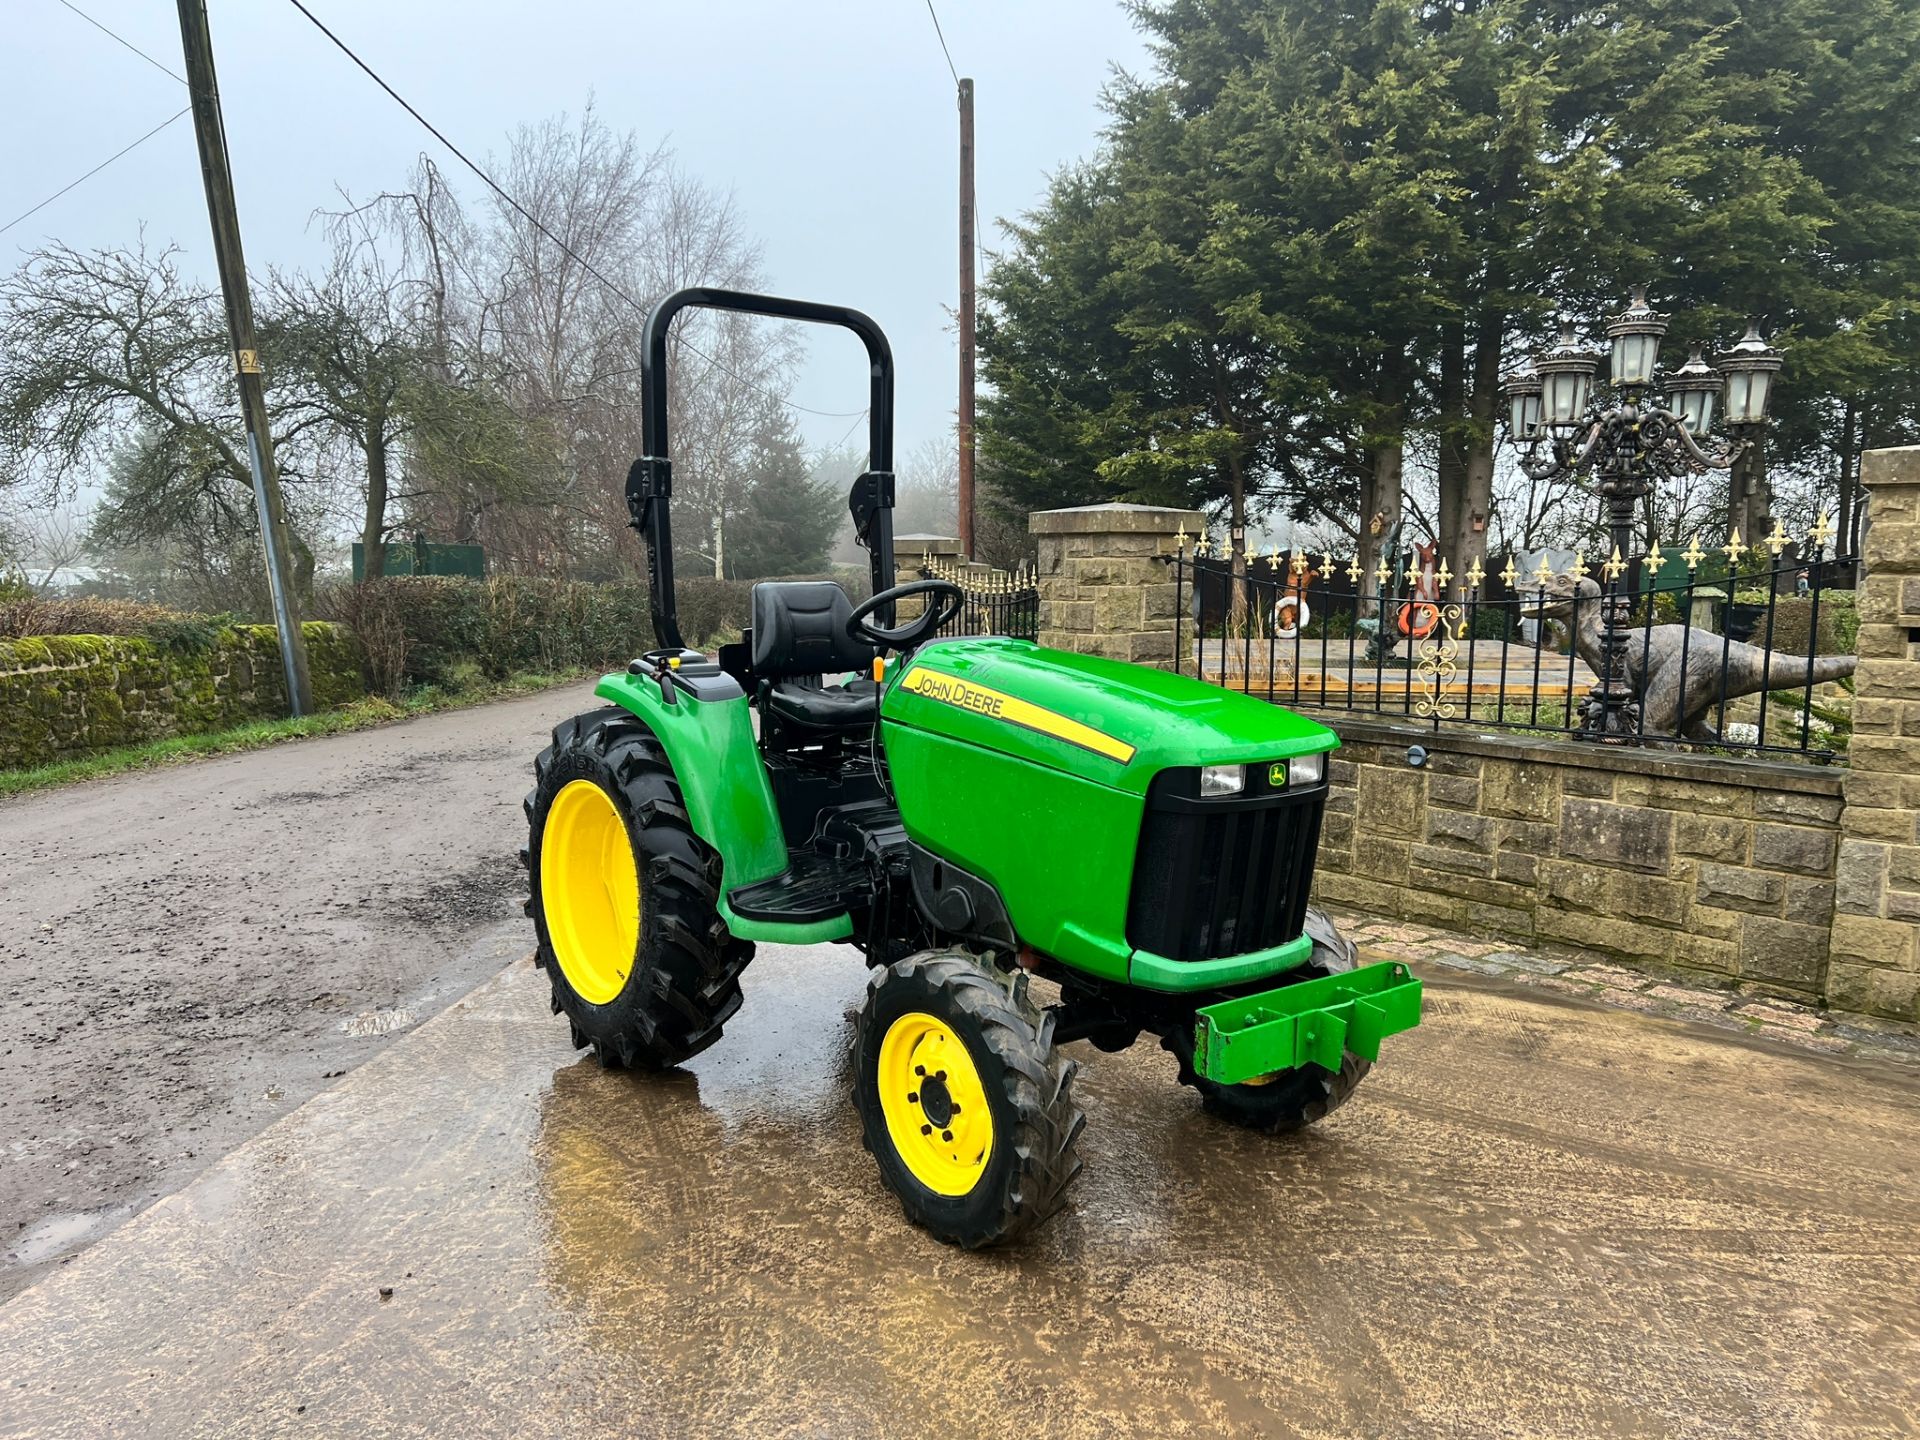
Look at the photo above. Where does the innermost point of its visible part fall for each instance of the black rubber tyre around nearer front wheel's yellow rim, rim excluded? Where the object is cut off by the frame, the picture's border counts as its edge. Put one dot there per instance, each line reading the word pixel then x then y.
pixel 1026 1084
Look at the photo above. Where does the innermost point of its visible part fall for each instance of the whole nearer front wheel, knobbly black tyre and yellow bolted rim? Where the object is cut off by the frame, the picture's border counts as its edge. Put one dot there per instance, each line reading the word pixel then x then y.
pixel 963 1099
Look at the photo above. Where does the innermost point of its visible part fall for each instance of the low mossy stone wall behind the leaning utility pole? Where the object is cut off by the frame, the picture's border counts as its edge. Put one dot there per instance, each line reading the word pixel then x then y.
pixel 70 696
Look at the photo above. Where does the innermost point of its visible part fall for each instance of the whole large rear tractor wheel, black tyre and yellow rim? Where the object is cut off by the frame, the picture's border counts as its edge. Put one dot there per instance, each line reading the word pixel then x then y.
pixel 625 898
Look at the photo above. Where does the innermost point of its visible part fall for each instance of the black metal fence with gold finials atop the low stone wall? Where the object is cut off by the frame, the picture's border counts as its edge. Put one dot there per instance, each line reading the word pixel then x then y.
pixel 1742 661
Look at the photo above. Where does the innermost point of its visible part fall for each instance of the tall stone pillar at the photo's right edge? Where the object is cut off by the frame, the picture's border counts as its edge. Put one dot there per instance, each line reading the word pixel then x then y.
pixel 1877 926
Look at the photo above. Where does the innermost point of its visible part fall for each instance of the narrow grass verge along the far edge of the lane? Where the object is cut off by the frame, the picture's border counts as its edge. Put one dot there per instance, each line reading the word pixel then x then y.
pixel 360 715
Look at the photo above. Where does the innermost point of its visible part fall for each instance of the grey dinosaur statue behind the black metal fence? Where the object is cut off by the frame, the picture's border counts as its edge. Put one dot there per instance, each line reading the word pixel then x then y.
pixel 1654 661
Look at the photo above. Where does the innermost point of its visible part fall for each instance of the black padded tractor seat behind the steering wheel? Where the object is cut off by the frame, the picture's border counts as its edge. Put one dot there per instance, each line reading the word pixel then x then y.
pixel 800 635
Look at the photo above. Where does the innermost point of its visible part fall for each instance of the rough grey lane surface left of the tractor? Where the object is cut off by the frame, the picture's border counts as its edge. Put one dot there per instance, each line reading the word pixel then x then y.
pixel 191 953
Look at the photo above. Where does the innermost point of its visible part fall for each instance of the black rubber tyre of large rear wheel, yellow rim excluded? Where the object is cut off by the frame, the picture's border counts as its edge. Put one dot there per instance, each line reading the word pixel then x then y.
pixel 684 978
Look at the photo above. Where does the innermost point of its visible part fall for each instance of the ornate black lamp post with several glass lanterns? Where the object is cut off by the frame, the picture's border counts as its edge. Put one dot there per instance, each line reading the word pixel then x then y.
pixel 1641 431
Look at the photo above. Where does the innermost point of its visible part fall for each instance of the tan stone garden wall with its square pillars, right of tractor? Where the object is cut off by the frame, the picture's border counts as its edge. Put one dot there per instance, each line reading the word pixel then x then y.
pixel 1779 878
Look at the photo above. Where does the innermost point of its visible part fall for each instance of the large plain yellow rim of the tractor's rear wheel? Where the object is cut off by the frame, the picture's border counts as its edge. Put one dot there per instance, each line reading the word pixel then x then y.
pixel 590 892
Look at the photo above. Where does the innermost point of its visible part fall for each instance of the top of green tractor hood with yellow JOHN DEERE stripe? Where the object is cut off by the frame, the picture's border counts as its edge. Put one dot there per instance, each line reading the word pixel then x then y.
pixel 1099 719
